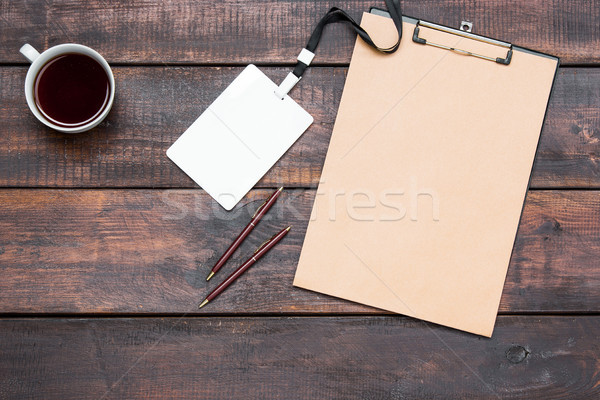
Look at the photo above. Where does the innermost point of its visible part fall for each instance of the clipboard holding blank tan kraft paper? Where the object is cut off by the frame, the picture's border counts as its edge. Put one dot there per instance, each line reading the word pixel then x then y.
pixel 426 174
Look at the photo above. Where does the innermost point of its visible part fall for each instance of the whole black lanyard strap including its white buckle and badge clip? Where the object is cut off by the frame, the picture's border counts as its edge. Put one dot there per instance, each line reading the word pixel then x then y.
pixel 337 15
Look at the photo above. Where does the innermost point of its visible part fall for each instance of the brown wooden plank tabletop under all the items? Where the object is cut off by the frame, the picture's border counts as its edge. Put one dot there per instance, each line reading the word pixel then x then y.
pixel 105 244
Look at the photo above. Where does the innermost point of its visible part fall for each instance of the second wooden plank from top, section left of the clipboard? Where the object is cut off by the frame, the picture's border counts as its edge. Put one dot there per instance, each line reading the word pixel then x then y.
pixel 153 106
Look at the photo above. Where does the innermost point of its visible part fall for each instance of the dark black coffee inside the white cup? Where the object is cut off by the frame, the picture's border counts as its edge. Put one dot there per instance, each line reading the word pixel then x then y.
pixel 72 90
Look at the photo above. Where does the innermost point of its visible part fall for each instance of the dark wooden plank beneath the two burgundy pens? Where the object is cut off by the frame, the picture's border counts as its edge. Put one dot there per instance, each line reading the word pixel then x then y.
pixel 149 251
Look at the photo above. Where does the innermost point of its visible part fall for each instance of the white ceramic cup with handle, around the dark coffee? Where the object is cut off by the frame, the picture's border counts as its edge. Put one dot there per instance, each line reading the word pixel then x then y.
pixel 39 60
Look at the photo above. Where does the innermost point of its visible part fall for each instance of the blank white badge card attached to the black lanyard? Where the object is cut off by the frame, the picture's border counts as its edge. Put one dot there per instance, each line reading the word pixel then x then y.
pixel 239 137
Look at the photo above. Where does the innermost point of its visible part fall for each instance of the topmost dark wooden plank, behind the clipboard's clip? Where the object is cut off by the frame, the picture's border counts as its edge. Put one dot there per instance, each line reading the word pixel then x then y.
pixel 238 31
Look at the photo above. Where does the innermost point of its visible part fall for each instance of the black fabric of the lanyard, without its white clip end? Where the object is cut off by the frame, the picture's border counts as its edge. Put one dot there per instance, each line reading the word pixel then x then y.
pixel 336 15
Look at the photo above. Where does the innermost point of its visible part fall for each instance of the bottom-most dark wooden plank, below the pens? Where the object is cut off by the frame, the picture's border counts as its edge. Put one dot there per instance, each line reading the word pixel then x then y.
pixel 304 358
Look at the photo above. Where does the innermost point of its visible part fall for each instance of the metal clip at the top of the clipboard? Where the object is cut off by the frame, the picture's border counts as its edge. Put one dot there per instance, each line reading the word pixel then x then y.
pixel 466 34
